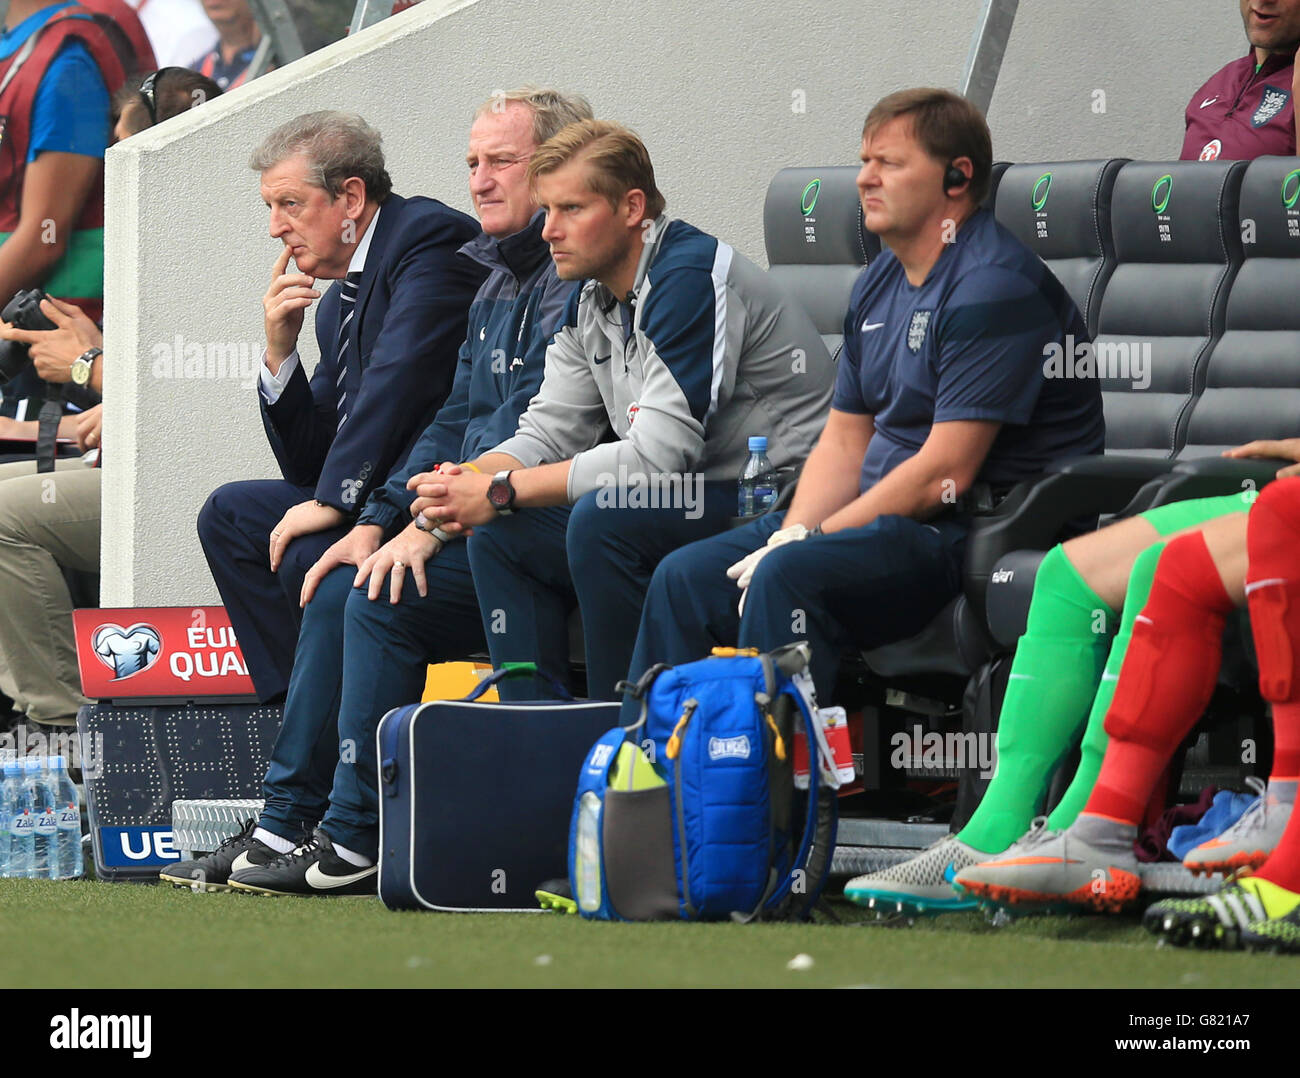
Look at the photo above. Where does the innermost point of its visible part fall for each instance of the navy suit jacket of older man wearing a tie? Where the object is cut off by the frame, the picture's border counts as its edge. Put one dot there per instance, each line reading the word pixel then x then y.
pixel 413 305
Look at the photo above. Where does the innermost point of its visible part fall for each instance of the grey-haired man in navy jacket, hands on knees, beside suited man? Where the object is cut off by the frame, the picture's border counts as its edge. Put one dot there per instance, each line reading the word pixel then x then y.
pixel 363 651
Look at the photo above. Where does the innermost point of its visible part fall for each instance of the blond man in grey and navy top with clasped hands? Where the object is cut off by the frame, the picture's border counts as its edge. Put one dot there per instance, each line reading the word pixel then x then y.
pixel 673 354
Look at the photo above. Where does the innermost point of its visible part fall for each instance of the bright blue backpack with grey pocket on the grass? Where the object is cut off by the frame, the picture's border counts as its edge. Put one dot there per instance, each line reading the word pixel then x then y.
pixel 692 813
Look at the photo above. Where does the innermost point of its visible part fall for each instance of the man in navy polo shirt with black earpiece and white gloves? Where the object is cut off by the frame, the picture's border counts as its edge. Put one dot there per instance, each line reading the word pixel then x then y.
pixel 942 395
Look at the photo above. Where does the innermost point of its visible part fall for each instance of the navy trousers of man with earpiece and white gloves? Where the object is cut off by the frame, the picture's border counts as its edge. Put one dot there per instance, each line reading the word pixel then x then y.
pixel 861 587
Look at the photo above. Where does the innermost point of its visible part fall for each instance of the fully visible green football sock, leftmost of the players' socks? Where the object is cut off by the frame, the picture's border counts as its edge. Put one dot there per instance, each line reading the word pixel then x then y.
pixel 1052 685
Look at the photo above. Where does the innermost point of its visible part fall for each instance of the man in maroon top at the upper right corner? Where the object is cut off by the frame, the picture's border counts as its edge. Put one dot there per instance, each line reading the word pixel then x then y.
pixel 1246 110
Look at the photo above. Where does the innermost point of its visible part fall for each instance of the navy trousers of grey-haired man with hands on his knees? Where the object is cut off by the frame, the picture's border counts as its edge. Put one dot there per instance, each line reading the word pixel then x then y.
pixel 357 660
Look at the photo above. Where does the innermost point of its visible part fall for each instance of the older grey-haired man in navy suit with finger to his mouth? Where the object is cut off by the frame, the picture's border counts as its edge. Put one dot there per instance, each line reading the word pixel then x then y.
pixel 389 332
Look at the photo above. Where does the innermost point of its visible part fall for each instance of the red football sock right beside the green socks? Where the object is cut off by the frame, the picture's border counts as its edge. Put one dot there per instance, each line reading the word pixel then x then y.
pixel 1167 681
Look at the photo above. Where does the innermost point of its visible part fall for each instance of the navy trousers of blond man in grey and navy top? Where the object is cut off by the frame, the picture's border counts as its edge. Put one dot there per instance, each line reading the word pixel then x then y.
pixel 530 575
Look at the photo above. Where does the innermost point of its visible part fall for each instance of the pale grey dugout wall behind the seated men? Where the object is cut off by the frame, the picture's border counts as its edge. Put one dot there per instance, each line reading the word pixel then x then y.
pixel 722 93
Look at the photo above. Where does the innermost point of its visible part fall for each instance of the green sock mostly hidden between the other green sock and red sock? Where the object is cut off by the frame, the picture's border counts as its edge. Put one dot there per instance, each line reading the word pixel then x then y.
pixel 1167 521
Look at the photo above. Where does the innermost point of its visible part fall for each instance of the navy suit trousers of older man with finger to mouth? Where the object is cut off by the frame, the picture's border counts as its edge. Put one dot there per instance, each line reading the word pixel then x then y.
pixel 235 529
